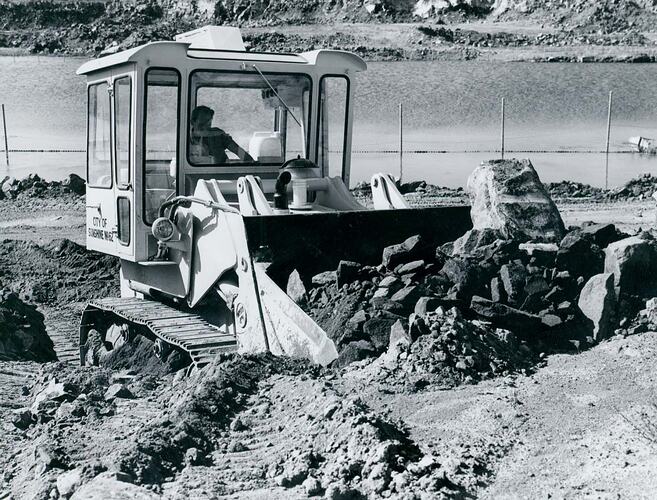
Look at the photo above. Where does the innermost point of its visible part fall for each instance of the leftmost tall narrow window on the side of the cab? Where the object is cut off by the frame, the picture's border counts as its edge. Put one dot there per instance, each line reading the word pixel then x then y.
pixel 99 165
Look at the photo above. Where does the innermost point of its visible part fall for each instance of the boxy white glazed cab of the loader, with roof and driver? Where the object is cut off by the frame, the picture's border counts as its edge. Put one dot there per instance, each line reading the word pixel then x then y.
pixel 144 148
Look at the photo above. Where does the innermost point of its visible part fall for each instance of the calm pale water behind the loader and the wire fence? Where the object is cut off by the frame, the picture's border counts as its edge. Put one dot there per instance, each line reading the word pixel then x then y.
pixel 448 106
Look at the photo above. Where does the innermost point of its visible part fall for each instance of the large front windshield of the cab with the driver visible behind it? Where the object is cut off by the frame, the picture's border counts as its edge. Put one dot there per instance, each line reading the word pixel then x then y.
pixel 247 118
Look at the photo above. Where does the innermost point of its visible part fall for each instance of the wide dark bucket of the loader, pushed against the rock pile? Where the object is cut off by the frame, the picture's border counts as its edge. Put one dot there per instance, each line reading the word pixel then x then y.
pixel 316 242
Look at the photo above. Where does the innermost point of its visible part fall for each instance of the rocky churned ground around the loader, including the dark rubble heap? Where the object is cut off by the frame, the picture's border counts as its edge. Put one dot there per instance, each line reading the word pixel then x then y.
pixel 436 392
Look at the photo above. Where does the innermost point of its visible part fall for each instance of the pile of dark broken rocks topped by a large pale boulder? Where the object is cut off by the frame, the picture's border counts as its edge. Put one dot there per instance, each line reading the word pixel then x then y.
pixel 518 270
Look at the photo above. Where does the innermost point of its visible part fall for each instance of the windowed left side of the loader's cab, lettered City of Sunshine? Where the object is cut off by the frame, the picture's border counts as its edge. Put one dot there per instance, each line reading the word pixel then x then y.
pixel 110 172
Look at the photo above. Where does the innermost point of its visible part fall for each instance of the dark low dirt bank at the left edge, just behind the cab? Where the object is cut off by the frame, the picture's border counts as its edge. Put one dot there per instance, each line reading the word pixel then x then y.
pixel 61 271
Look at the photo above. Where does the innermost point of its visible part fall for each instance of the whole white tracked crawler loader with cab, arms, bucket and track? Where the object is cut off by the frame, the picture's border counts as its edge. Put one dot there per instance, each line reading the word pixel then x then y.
pixel 213 172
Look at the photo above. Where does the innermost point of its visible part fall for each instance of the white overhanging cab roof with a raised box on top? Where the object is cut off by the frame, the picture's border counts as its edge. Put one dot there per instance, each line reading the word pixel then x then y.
pixel 219 43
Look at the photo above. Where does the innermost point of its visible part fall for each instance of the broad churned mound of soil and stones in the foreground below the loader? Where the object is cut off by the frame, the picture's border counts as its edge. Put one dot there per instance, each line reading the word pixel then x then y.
pixel 239 425
